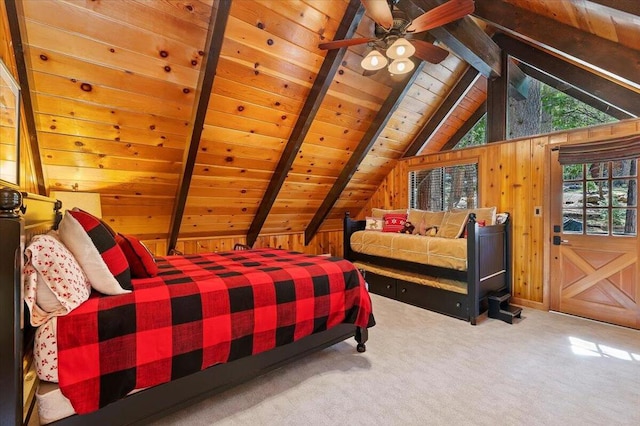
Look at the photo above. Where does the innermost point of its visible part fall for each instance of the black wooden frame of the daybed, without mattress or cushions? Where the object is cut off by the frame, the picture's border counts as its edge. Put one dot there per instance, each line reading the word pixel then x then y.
pixel 488 272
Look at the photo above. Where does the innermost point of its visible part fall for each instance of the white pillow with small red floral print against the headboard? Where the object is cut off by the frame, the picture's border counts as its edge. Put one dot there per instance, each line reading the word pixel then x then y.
pixel 54 282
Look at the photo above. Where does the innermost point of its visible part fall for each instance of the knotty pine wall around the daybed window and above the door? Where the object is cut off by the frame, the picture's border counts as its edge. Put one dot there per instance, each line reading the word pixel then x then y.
pixel 512 176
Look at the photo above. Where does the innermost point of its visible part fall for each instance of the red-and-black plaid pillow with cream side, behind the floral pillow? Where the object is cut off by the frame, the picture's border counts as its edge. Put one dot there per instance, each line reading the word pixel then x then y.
pixel 96 251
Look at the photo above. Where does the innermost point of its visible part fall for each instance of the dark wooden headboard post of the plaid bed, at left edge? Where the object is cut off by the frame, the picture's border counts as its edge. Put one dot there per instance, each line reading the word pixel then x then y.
pixel 11 229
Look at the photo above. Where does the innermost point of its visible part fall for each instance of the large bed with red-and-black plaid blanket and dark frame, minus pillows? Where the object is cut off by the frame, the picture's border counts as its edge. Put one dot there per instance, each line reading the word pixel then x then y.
pixel 276 306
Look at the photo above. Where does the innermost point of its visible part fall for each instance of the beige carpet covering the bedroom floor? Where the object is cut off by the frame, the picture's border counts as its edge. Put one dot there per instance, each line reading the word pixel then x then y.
pixel 422 368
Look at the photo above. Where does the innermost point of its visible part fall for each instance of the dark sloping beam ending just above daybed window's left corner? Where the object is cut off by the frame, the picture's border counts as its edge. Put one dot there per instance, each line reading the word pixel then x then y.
pixel 453 98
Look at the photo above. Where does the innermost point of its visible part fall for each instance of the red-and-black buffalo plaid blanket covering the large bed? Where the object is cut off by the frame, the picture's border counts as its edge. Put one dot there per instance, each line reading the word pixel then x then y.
pixel 199 311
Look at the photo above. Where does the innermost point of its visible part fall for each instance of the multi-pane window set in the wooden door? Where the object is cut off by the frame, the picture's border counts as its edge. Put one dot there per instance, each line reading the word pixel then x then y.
pixel 600 198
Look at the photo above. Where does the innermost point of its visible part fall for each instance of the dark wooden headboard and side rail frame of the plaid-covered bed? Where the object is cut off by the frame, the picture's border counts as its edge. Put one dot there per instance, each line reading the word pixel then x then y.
pixel 23 215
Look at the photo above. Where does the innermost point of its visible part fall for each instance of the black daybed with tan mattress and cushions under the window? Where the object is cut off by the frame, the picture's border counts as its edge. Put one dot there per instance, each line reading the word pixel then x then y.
pixel 454 275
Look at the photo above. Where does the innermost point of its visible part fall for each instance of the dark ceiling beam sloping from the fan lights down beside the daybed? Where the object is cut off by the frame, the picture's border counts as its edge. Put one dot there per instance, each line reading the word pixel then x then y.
pixel 368 140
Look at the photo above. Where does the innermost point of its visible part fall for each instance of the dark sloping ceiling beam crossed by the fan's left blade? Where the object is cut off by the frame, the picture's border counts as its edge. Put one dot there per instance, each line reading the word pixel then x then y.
pixel 312 104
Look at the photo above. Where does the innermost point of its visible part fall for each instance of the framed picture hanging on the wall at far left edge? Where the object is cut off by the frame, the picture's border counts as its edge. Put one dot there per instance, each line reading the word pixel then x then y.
pixel 9 127
